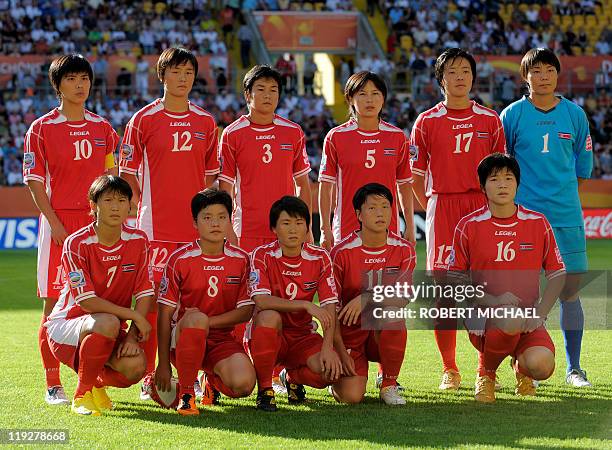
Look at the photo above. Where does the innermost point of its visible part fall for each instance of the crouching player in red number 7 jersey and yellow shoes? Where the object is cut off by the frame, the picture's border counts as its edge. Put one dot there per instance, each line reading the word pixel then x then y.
pixel 107 264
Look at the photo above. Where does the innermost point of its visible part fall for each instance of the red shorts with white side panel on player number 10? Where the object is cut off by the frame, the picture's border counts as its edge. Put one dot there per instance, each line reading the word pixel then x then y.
pixel 50 276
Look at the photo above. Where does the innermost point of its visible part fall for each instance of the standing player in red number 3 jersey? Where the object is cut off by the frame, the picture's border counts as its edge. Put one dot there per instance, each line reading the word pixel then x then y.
pixel 264 158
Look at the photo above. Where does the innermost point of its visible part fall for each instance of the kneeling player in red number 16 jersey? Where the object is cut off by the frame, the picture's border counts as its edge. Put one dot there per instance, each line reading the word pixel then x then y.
pixel 504 246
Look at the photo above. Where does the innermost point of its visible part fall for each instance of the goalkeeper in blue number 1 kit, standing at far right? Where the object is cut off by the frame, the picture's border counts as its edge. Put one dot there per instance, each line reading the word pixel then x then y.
pixel 549 136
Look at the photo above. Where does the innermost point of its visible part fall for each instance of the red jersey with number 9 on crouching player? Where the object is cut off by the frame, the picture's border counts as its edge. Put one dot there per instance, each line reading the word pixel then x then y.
pixel 293 278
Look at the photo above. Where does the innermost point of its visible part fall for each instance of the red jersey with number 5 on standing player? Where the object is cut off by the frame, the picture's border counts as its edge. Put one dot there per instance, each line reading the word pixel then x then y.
pixel 353 157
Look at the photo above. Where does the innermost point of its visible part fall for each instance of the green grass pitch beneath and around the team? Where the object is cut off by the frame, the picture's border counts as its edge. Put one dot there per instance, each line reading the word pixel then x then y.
pixel 558 417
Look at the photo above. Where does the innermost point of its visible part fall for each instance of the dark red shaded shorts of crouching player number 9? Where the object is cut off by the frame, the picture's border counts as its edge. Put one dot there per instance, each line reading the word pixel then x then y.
pixel 296 347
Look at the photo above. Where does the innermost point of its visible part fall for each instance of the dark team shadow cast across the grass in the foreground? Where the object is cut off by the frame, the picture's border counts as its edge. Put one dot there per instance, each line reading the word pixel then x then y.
pixel 429 419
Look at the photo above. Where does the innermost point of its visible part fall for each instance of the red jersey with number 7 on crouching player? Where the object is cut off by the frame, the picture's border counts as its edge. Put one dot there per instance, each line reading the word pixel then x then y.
pixel 115 273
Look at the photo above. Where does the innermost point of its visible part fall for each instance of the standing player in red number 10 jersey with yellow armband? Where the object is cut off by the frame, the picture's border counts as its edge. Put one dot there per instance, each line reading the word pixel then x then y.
pixel 64 151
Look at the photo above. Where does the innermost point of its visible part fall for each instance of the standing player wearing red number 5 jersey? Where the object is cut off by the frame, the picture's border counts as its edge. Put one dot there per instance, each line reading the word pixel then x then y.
pixel 363 150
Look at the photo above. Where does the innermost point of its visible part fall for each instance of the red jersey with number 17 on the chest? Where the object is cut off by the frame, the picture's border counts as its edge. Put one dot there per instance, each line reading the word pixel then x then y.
pixel 447 145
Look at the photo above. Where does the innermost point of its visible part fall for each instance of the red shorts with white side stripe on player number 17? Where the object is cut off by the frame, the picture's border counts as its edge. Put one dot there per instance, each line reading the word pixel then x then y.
pixel 444 211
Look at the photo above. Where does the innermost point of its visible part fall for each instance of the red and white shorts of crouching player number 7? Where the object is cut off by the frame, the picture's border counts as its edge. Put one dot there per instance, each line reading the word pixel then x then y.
pixel 63 338
